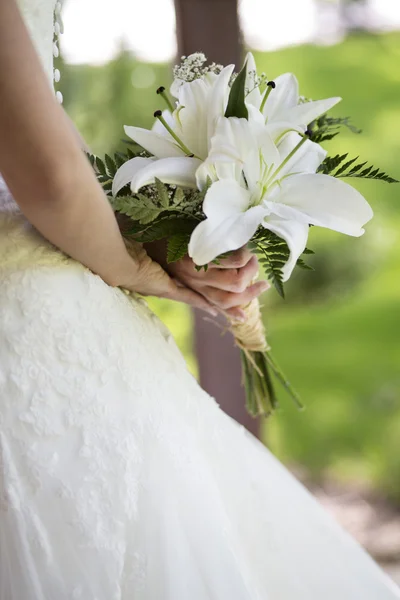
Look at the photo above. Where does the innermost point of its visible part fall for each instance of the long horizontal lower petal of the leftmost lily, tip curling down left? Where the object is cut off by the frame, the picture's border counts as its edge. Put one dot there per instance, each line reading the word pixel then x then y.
pixel 179 171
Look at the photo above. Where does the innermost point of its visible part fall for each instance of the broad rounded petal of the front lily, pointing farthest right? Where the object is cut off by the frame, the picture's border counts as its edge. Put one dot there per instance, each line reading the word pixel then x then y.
pixel 325 201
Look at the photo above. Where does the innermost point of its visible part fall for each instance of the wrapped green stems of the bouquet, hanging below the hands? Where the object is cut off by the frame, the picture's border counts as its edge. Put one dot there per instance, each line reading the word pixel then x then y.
pixel 257 363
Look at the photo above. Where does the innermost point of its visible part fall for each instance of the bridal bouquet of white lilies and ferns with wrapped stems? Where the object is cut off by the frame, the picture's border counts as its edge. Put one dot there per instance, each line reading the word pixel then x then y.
pixel 236 159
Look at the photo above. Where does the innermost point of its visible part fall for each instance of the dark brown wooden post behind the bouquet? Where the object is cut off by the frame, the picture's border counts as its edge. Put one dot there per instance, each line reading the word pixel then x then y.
pixel 212 27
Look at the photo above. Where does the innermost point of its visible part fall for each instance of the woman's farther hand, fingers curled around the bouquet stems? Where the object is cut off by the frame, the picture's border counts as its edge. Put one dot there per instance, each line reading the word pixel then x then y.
pixel 226 286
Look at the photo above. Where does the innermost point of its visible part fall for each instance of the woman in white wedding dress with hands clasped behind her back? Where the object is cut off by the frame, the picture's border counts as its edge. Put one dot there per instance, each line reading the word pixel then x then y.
pixel 120 479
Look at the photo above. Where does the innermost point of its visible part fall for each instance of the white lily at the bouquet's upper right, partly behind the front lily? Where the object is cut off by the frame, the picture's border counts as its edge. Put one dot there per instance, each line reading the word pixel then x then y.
pixel 281 104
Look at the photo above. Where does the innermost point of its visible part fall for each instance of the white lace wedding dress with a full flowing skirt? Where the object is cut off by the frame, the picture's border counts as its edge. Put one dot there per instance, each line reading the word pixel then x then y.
pixel 120 479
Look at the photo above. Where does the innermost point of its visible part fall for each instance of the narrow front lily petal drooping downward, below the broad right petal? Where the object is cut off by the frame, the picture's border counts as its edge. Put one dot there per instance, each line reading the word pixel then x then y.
pixel 295 234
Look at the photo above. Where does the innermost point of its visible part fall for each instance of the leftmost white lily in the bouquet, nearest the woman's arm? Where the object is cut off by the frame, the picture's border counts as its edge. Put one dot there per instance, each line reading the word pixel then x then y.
pixel 184 135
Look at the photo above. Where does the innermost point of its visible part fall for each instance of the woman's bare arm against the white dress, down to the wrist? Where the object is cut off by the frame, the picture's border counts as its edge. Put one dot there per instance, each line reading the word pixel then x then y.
pixel 43 164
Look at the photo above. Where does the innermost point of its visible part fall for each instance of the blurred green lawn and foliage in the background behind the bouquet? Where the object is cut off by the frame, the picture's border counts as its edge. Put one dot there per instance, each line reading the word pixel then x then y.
pixel 336 334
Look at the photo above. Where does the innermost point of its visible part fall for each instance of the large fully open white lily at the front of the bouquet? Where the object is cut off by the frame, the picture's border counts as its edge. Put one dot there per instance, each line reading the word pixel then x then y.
pixel 274 186
